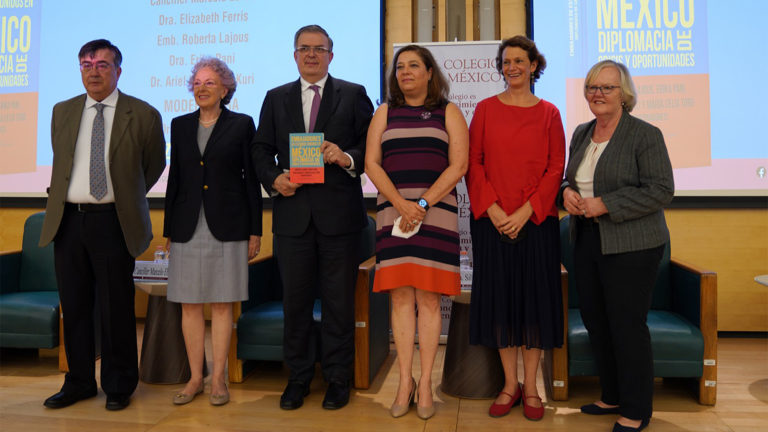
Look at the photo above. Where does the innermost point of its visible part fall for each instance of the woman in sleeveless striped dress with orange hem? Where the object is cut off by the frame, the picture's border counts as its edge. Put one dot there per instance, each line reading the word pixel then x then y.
pixel 416 154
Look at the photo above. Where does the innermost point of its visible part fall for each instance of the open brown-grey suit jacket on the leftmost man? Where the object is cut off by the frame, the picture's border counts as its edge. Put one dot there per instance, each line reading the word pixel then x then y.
pixel 136 161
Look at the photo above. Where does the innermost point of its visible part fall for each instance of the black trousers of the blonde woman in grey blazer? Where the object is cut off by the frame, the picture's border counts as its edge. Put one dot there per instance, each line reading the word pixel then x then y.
pixel 614 297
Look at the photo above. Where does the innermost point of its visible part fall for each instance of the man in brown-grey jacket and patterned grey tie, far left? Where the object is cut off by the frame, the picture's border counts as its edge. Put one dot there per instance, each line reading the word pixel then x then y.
pixel 108 151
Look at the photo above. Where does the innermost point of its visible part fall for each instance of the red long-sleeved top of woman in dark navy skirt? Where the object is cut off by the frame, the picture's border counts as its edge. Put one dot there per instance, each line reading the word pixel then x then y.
pixel 516 154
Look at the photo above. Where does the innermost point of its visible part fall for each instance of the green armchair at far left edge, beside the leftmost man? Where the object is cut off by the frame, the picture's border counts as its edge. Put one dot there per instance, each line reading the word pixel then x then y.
pixel 29 295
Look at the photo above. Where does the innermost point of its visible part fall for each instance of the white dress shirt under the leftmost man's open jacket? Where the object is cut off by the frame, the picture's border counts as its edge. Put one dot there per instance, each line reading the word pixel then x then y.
pixel 79 190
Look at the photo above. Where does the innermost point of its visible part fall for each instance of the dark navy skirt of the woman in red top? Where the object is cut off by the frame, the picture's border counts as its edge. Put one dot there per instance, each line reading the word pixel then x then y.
pixel 516 294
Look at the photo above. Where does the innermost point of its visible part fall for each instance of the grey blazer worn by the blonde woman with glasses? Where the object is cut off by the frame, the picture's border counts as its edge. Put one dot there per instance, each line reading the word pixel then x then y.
pixel 634 178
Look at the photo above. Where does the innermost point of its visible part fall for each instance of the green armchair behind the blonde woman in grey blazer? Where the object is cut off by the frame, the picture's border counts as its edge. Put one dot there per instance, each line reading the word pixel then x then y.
pixel 682 322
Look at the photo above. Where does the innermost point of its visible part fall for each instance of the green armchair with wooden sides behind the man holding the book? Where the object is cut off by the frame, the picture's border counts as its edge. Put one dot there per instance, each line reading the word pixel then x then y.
pixel 258 332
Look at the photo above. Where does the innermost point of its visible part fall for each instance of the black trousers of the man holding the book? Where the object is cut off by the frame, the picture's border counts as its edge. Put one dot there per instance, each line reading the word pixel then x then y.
pixel 308 262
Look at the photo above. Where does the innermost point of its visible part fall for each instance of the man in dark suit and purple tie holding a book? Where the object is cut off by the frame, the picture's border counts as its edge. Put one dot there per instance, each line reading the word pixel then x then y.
pixel 317 227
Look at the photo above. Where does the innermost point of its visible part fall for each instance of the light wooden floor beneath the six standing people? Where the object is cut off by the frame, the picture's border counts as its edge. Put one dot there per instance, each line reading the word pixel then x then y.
pixel 26 379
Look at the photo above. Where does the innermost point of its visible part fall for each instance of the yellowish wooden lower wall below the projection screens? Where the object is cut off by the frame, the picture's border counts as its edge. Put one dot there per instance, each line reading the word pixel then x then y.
pixel 731 242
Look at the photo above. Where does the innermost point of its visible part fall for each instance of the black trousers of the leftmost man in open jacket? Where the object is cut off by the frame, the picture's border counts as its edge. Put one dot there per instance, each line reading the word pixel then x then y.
pixel 91 257
